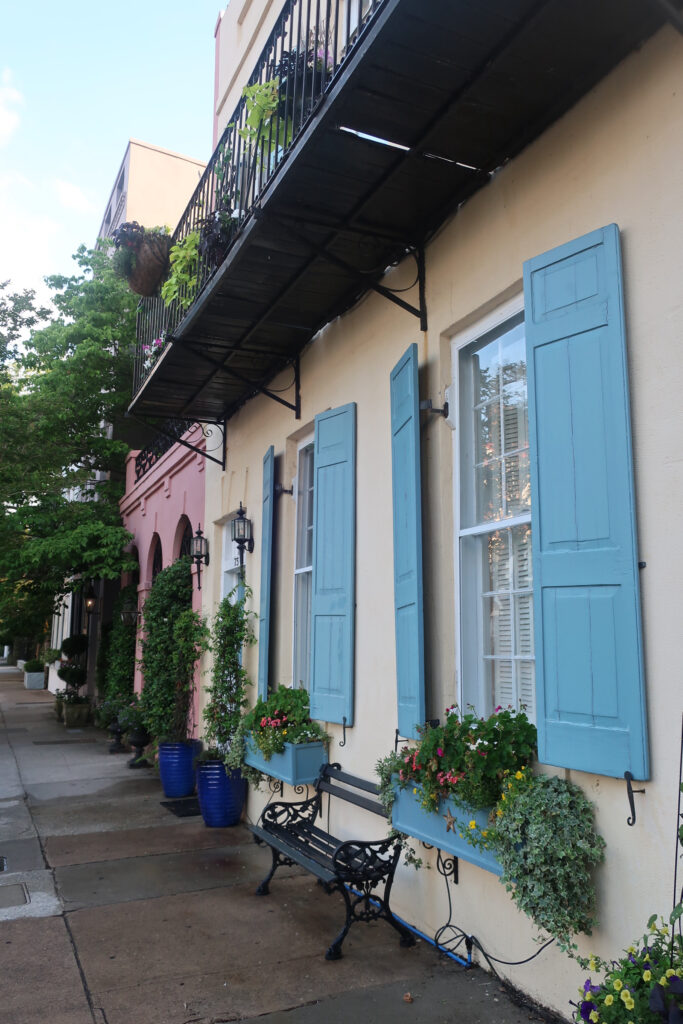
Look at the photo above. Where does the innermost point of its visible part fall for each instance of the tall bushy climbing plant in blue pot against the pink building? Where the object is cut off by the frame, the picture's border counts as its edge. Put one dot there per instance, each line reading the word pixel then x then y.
pixel 174 641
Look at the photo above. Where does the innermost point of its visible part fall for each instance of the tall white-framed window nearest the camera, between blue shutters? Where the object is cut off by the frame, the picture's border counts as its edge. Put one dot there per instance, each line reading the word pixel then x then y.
pixel 493 505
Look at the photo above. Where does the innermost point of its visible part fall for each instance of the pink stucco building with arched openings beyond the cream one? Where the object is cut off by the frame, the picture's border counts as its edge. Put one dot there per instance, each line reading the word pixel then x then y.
pixel 162 507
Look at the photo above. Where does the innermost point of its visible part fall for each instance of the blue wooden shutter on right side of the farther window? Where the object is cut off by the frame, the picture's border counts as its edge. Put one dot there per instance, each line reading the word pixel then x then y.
pixel 333 601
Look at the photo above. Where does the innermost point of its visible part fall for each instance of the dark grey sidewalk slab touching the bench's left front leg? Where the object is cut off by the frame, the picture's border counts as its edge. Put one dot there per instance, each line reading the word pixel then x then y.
pixel 147 878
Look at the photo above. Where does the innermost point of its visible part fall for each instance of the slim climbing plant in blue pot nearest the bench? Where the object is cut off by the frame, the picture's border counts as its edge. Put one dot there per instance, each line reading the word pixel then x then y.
pixel 223 791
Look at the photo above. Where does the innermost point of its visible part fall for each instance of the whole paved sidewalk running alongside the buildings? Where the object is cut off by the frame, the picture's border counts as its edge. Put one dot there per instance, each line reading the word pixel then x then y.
pixel 115 912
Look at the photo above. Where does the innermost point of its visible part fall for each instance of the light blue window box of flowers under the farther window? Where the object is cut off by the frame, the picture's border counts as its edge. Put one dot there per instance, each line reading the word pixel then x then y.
pixel 279 739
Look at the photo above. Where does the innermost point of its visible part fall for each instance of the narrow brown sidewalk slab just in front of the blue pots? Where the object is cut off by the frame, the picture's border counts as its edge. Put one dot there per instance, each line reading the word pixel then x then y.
pixel 92 847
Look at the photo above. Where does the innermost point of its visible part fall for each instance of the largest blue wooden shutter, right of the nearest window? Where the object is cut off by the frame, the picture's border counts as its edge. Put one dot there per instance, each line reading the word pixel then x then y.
pixel 590 681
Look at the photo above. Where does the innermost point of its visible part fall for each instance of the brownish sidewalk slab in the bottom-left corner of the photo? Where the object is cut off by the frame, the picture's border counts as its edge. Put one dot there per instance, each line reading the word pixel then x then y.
pixel 40 978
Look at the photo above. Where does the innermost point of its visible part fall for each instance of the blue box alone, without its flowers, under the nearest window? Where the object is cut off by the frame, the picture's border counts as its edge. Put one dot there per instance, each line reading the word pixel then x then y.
pixel 431 827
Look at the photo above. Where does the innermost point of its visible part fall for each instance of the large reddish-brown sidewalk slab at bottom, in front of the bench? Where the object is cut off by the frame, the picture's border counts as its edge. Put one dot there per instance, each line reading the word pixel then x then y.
pixel 230 955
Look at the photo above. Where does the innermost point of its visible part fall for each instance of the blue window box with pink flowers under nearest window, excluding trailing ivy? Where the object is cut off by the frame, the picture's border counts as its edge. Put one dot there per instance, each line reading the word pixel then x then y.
pixel 446 788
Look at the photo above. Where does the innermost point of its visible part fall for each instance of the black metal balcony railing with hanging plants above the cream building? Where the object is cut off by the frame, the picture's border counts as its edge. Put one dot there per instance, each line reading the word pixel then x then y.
pixel 311 41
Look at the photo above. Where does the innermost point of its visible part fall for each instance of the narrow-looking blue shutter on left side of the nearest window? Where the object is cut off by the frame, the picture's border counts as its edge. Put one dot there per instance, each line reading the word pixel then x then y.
pixel 408 543
